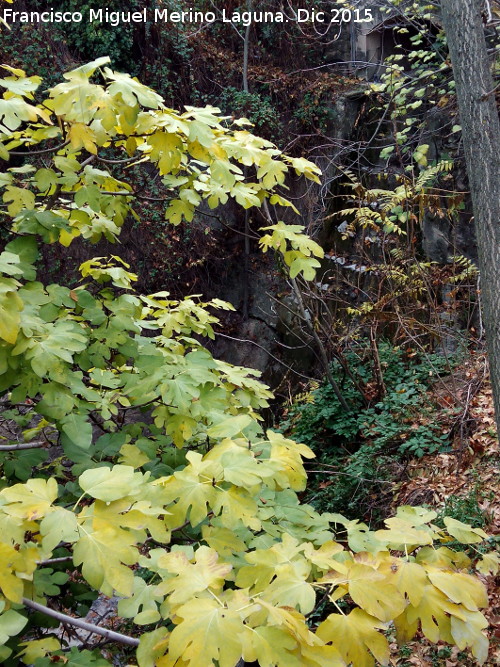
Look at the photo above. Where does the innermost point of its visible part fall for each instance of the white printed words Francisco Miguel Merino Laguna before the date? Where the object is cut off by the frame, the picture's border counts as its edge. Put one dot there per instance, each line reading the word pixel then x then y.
pixel 116 18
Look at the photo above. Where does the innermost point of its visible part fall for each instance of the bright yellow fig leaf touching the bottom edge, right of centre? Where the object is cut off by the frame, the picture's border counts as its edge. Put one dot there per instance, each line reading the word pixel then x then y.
pixel 356 637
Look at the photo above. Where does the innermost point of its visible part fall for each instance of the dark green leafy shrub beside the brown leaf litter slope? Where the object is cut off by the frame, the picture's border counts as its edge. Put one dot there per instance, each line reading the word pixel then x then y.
pixel 357 451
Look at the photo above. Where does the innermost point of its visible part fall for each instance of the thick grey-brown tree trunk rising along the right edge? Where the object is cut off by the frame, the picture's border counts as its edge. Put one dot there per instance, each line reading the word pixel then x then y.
pixel 463 25
